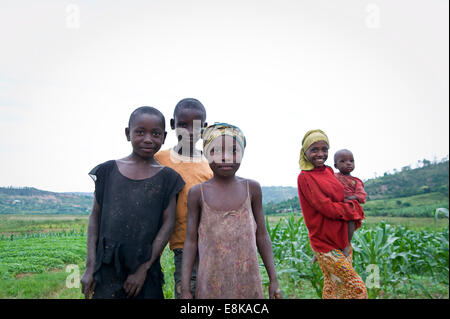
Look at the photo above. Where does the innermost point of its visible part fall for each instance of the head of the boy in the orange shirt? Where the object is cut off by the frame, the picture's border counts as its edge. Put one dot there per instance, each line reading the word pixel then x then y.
pixel 189 117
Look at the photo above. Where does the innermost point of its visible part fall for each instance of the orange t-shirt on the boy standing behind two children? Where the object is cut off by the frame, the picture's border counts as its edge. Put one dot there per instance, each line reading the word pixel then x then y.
pixel 193 170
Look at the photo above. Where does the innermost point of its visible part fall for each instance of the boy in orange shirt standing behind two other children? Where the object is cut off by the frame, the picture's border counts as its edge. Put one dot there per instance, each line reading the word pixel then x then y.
pixel 189 117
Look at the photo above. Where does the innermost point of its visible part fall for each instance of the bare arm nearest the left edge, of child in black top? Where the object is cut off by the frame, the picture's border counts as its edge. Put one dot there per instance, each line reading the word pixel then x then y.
pixel 87 280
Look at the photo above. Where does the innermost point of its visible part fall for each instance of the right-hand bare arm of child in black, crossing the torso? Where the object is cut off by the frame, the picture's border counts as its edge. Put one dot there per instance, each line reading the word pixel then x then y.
pixel 134 282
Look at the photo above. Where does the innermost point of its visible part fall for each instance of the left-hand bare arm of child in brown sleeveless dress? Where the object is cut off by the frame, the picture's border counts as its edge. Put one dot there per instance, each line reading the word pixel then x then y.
pixel 190 243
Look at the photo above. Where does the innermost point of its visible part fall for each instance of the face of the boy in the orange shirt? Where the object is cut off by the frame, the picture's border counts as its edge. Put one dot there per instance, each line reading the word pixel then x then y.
pixel 187 125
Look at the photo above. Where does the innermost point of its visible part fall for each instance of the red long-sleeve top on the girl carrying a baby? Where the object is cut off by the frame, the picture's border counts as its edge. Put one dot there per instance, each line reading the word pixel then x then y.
pixel 325 213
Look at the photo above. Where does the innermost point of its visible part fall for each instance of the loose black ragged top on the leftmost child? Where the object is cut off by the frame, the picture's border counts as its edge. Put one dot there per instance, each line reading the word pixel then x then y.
pixel 130 218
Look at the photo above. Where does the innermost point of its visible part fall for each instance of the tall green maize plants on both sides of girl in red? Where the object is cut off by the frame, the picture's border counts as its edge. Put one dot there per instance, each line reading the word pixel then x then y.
pixel 411 264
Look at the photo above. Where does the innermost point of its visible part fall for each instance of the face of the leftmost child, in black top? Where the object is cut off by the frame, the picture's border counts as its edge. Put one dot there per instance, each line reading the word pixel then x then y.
pixel 146 135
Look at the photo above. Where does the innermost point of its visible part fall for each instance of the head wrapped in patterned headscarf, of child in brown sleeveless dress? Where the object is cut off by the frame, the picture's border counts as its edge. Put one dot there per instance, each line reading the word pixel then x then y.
pixel 223 146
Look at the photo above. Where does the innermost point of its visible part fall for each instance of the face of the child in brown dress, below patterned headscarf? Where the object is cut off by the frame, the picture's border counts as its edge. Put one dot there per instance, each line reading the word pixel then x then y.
pixel 224 155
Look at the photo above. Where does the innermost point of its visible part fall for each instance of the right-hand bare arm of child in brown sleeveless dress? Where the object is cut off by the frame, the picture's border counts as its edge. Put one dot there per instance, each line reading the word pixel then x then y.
pixel 263 239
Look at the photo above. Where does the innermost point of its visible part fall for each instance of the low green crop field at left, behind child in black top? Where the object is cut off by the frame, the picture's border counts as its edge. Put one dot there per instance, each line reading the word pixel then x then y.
pixel 34 265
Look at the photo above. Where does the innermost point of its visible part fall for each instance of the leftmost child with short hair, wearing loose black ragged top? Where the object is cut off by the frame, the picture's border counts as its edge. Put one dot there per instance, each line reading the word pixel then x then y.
pixel 133 216
